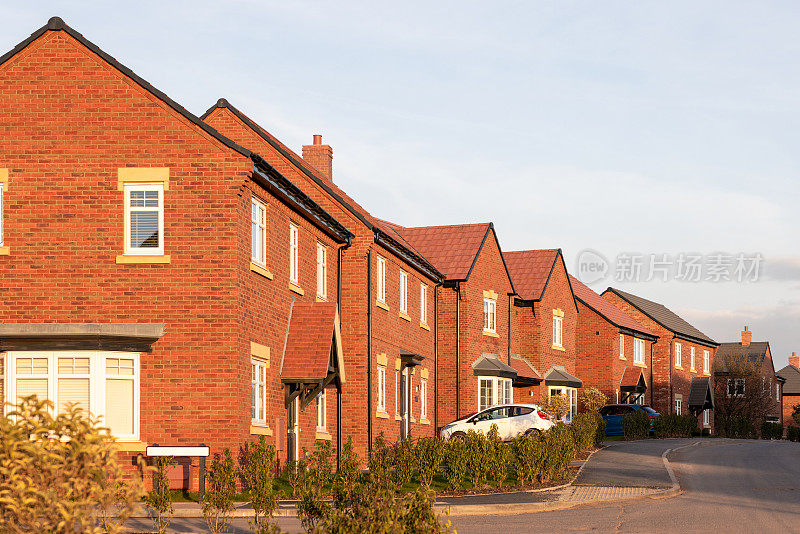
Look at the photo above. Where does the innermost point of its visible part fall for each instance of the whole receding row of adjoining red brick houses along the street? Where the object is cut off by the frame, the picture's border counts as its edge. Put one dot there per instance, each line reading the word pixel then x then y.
pixel 193 280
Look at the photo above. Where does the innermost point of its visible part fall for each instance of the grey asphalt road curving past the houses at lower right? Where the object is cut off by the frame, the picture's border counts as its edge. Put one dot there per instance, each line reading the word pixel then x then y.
pixel 729 486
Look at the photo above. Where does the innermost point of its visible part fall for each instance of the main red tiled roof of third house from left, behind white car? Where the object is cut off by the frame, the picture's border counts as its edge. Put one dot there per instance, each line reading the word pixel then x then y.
pixel 451 249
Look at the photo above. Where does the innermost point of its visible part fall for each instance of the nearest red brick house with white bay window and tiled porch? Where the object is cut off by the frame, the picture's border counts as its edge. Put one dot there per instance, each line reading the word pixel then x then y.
pixel 153 270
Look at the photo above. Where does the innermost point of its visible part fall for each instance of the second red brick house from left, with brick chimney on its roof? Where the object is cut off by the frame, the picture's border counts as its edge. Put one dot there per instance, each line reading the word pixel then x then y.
pixel 388 295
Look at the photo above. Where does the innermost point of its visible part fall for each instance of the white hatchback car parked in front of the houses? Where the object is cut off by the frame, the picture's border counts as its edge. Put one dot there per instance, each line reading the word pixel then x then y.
pixel 511 420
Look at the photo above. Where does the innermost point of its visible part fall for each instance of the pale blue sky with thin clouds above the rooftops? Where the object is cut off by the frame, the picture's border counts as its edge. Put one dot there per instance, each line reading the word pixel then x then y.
pixel 631 130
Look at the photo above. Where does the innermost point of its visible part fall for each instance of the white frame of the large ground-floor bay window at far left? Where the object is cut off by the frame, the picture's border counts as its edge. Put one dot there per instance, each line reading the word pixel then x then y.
pixel 97 380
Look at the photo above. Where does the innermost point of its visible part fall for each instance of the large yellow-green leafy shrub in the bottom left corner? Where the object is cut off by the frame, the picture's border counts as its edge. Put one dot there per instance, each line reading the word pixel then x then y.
pixel 60 473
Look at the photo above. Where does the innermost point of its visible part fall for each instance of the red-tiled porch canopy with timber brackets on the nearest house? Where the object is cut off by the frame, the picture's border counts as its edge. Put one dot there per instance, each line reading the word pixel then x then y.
pixel 312 356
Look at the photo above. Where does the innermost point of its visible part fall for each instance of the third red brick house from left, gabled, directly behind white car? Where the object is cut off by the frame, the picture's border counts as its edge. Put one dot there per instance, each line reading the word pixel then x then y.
pixel 473 315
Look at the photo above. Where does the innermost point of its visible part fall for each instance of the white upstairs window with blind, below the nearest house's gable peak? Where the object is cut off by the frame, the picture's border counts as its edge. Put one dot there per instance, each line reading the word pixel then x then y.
pixel 144 219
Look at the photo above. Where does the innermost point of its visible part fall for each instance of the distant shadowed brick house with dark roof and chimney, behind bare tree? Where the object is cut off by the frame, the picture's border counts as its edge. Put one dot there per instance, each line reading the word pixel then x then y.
pixel 756 356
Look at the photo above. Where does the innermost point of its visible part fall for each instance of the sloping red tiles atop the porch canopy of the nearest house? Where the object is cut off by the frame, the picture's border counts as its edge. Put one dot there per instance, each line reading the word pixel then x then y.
pixel 308 347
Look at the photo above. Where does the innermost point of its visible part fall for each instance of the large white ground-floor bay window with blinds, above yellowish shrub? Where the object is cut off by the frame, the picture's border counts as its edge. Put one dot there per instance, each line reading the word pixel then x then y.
pixel 104 384
